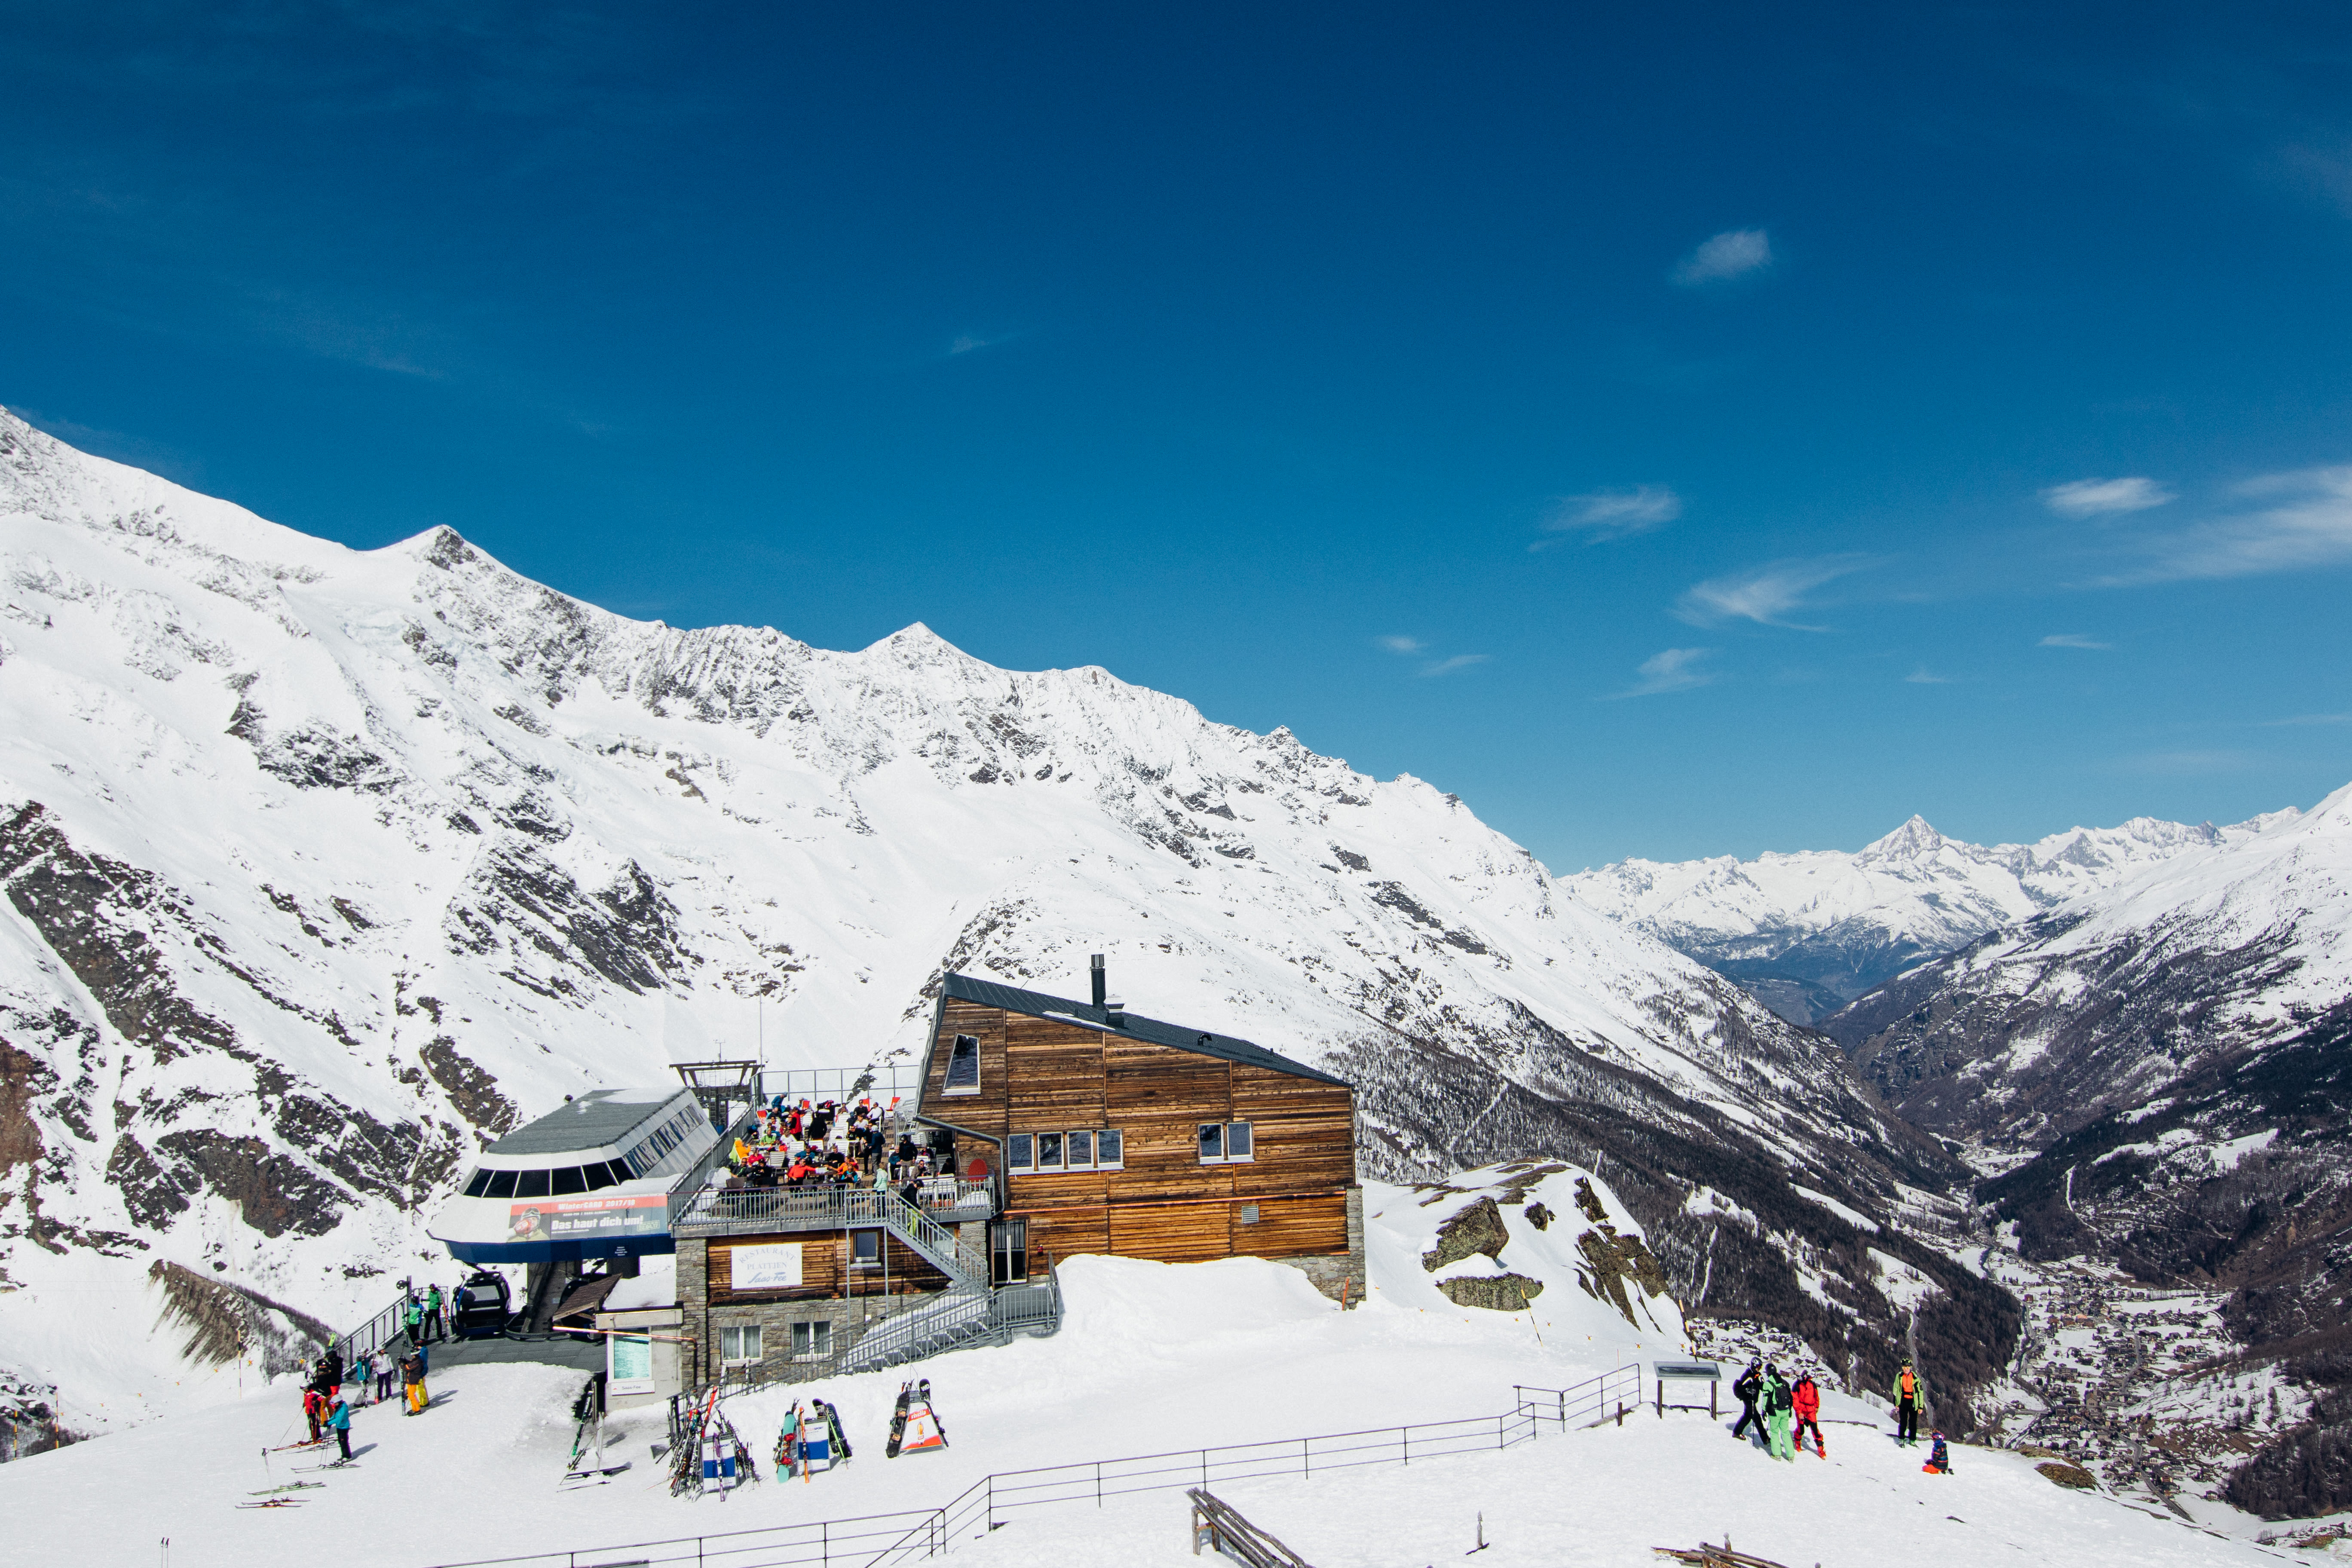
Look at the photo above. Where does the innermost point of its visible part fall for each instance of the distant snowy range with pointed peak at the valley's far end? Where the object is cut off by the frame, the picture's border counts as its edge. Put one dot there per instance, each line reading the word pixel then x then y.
pixel 1810 932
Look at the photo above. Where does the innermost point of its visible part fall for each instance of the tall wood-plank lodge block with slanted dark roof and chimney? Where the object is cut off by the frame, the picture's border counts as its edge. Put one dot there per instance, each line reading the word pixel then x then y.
pixel 1132 1137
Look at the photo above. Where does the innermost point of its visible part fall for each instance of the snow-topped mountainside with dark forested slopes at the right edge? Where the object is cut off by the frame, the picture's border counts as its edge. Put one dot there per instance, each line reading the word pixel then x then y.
pixel 2163 1073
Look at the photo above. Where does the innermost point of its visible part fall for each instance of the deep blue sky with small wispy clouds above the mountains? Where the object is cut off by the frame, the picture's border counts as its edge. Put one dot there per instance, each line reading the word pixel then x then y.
pixel 1695 431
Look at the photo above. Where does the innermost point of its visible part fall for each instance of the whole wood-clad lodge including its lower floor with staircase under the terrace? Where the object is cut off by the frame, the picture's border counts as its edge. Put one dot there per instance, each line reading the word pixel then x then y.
pixel 1053 1127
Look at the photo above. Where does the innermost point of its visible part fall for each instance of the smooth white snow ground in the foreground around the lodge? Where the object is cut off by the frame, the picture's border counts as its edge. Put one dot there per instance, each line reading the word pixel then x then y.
pixel 1154 1362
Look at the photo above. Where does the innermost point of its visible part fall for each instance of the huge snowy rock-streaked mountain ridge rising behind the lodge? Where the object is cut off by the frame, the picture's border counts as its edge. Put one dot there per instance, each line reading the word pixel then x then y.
pixel 323 866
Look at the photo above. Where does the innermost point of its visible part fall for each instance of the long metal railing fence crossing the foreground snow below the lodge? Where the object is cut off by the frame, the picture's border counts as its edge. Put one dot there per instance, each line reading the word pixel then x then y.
pixel 886 1541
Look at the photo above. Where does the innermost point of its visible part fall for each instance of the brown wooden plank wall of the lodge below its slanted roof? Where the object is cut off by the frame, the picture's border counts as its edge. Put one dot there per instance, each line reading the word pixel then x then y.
pixel 1041 1076
